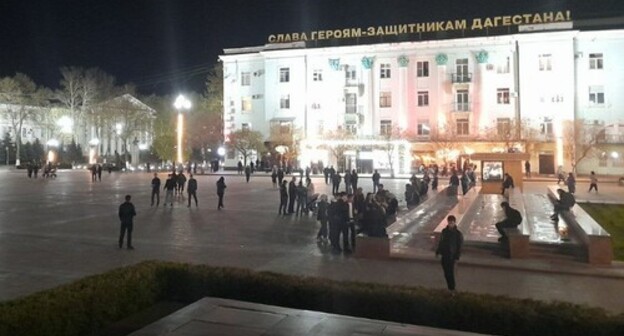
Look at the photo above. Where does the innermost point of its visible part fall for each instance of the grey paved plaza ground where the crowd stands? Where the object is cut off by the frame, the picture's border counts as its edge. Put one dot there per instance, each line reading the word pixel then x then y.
pixel 56 231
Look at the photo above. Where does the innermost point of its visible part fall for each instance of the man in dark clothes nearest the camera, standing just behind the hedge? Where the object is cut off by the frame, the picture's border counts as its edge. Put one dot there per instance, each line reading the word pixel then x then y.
pixel 449 248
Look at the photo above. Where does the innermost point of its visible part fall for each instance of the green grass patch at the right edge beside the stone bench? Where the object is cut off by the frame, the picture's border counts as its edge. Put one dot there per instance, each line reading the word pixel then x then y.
pixel 611 218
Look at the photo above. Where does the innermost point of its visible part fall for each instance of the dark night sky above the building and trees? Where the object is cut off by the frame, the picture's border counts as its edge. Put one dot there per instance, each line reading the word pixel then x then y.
pixel 165 46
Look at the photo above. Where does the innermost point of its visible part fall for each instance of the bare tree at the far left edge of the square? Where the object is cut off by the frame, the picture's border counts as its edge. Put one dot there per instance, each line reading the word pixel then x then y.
pixel 23 99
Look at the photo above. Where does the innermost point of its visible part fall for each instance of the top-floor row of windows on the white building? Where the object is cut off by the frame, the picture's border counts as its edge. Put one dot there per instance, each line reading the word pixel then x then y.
pixel 545 62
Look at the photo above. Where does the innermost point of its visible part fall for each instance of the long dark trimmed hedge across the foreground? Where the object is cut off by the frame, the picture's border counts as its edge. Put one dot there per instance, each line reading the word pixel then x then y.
pixel 90 304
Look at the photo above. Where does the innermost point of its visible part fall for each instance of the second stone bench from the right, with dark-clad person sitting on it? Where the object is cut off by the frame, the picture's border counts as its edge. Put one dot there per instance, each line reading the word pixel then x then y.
pixel 518 238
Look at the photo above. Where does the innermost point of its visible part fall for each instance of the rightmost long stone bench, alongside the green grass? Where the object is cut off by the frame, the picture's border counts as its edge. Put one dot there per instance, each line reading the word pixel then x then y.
pixel 594 237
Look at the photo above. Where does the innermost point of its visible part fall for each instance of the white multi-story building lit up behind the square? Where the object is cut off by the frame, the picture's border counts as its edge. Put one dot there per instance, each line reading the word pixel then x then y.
pixel 525 90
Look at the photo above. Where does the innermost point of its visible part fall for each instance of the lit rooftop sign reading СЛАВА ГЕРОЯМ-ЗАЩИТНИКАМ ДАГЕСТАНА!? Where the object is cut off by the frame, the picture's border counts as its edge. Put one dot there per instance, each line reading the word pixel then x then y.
pixel 424 27
